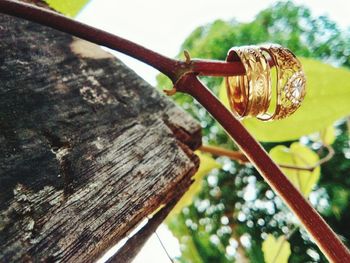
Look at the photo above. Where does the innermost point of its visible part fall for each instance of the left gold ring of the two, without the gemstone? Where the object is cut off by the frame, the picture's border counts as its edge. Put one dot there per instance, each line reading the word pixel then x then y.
pixel 250 94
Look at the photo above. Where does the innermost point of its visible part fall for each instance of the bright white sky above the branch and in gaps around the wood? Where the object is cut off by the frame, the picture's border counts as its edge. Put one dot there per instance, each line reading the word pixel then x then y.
pixel 163 25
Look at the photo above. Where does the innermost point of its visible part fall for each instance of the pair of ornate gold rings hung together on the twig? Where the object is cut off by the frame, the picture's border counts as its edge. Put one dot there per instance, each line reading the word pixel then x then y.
pixel 252 94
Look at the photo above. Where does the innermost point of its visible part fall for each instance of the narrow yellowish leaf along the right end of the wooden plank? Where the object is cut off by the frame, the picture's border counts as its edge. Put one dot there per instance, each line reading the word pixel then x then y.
pixel 207 163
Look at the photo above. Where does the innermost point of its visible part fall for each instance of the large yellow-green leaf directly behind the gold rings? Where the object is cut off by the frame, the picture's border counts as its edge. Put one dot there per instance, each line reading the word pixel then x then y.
pixel 327 100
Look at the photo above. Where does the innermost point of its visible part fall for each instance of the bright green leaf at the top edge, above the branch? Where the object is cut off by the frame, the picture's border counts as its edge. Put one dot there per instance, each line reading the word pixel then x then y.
pixel 67 7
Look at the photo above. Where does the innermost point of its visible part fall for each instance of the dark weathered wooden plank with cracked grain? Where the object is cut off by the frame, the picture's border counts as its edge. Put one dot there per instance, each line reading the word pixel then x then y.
pixel 87 148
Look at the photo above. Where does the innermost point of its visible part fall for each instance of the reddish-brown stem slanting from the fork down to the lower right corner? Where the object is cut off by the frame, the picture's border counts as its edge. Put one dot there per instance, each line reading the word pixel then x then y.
pixel 323 235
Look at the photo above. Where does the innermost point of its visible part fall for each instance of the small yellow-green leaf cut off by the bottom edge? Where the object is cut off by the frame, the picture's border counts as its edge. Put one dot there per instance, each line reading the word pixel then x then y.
pixel 276 250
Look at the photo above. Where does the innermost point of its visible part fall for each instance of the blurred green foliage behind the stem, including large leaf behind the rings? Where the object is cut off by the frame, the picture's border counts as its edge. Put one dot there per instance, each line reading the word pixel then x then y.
pixel 234 211
